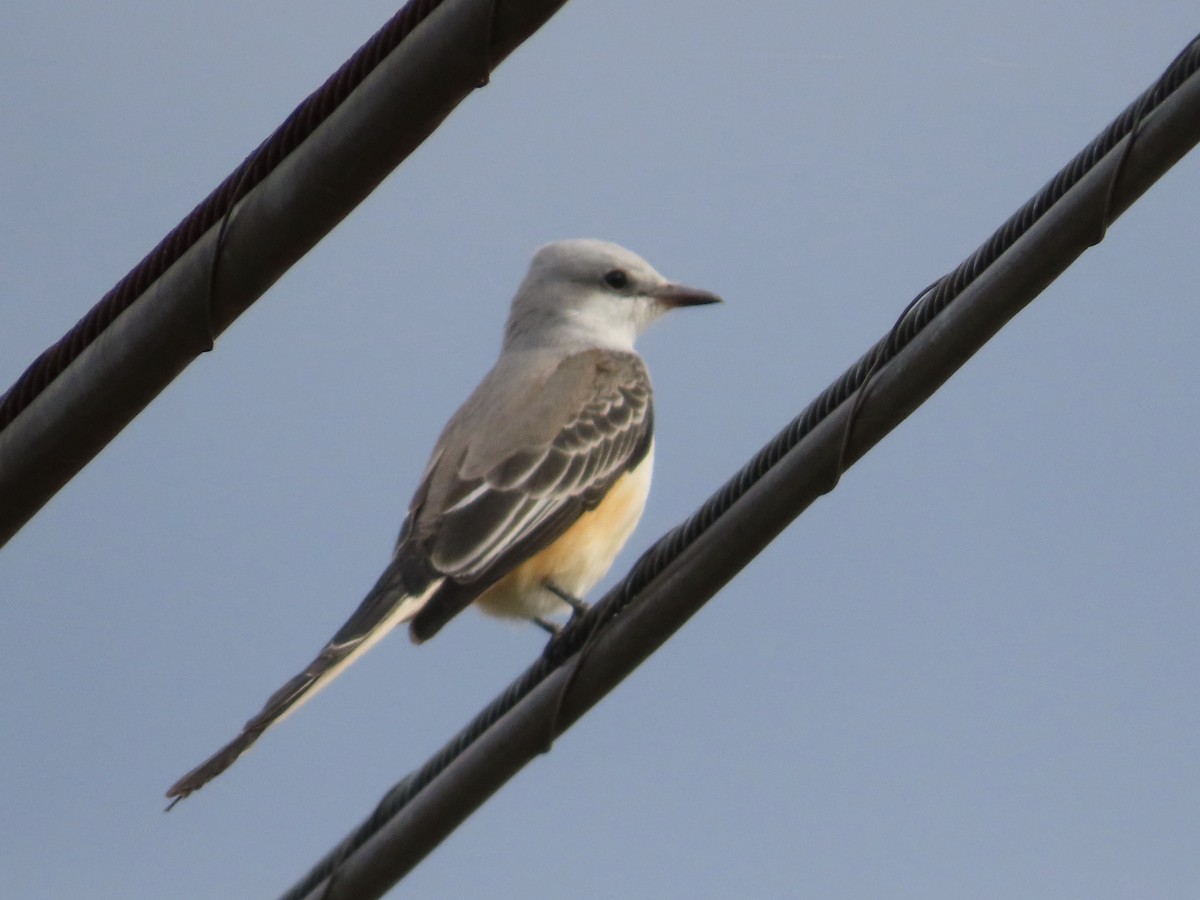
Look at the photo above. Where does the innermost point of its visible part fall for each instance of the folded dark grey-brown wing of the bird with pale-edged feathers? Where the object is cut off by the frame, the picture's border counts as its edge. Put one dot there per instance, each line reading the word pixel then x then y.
pixel 543 466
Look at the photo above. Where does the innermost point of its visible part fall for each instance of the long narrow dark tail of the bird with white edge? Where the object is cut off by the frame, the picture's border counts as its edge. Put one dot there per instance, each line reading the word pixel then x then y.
pixel 387 605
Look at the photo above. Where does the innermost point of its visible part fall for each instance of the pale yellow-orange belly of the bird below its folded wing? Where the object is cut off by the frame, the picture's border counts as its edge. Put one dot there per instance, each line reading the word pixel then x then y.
pixel 579 559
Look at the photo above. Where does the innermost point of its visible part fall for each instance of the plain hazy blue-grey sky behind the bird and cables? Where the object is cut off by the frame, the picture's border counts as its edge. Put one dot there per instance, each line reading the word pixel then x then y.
pixel 970 673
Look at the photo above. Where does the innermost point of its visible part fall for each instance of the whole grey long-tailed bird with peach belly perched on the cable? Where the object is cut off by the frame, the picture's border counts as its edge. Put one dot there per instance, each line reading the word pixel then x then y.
pixel 536 483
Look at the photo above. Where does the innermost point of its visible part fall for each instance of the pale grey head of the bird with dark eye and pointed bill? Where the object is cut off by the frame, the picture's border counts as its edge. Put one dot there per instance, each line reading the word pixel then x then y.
pixel 592 293
